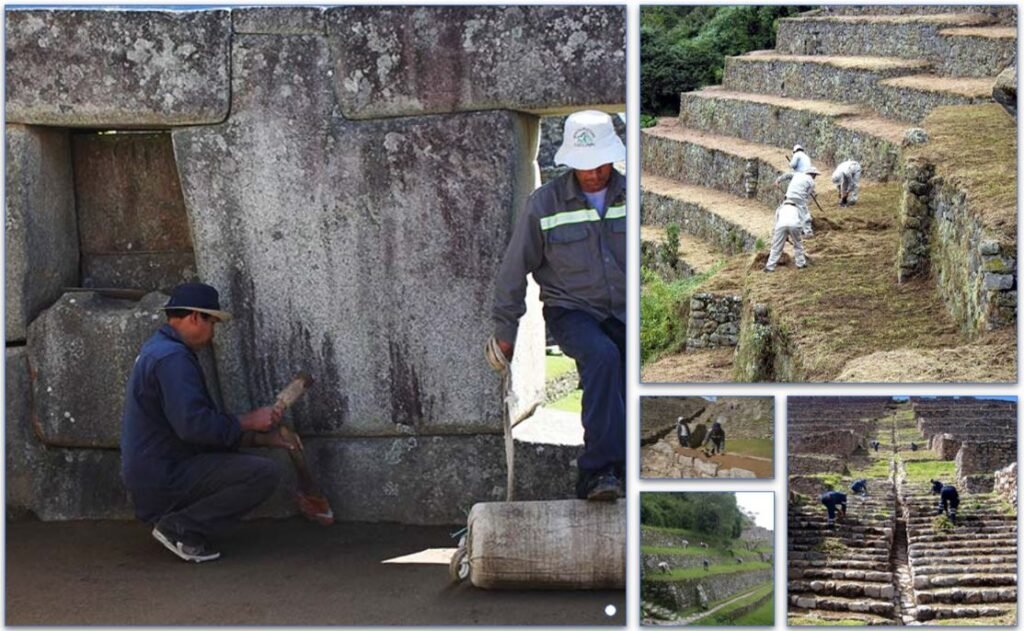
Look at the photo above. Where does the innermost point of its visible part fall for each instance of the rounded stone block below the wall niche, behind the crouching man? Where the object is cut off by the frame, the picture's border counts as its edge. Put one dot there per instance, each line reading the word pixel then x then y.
pixel 81 353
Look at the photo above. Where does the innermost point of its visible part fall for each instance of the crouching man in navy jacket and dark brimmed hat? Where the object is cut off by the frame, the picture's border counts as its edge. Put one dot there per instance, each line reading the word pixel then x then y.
pixel 180 453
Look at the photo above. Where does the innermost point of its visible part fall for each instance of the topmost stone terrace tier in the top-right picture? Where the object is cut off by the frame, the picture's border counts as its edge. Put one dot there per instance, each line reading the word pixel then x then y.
pixel 959 45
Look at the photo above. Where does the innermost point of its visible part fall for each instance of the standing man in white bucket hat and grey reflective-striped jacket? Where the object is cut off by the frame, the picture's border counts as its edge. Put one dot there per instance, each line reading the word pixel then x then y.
pixel 572 238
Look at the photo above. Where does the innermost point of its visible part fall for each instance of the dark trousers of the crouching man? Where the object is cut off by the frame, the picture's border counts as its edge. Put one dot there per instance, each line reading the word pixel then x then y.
pixel 214 493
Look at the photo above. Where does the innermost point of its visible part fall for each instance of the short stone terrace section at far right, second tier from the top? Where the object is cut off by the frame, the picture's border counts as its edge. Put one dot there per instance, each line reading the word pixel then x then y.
pixel 914 97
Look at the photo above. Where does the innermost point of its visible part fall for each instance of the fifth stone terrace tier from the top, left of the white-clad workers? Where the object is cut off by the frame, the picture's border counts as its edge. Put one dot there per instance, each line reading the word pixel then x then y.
pixel 733 224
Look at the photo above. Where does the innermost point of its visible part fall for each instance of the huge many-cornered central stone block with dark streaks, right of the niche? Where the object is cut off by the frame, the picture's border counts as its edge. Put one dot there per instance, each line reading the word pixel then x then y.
pixel 362 253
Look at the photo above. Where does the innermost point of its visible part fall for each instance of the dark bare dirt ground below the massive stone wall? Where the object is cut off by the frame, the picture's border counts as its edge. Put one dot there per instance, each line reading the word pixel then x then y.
pixel 271 573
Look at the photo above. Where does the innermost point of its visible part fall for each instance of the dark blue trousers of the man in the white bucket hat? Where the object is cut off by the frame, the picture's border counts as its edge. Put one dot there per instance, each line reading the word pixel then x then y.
pixel 600 349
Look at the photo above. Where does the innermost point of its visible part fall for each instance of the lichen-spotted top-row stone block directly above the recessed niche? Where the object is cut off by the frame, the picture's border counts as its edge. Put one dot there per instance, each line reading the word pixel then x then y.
pixel 117 69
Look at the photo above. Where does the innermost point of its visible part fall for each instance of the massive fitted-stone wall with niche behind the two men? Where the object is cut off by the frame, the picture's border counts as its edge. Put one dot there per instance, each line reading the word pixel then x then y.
pixel 347 177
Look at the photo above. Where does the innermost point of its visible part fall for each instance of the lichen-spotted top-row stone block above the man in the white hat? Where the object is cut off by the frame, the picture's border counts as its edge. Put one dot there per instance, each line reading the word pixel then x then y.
pixel 412 61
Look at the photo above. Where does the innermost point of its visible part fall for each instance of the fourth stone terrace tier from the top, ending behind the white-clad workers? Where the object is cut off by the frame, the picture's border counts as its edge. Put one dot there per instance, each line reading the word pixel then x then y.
pixel 724 163
